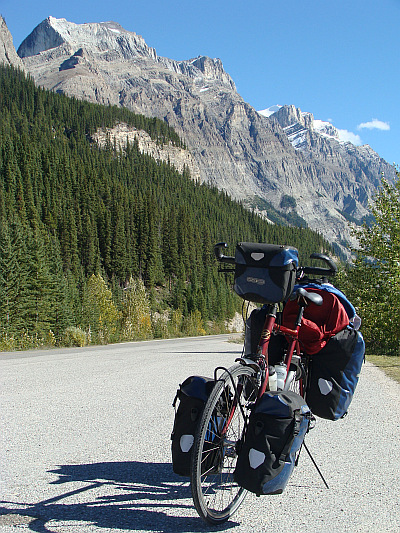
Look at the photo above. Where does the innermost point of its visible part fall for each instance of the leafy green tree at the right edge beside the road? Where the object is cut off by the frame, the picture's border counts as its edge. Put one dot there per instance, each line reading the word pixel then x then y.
pixel 373 284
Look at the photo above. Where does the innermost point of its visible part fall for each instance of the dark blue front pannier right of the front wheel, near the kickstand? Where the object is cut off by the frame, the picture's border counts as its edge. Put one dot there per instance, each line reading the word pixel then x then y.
pixel 275 433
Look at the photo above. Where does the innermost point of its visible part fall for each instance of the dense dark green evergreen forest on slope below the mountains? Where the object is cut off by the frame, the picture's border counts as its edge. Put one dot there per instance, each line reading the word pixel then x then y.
pixel 106 244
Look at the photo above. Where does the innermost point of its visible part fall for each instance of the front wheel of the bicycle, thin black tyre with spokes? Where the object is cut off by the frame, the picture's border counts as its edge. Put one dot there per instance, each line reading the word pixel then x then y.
pixel 215 494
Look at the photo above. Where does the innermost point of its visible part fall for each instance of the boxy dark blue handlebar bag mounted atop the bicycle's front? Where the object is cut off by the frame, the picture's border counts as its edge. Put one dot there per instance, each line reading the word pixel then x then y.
pixel 265 273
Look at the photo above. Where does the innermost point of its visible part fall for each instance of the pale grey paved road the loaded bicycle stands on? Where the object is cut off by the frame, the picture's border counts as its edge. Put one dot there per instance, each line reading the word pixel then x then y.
pixel 84 447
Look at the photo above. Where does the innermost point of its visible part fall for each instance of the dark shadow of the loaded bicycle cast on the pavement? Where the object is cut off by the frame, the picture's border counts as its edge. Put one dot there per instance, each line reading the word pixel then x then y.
pixel 116 495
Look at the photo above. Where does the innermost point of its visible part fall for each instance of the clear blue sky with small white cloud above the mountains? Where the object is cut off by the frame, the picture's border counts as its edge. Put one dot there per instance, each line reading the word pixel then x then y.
pixel 338 60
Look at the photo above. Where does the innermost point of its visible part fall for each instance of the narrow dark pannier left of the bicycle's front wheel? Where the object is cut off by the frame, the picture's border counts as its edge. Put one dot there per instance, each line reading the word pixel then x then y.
pixel 193 394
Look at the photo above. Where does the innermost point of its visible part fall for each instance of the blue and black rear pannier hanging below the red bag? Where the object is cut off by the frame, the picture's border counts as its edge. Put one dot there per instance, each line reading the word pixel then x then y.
pixel 334 373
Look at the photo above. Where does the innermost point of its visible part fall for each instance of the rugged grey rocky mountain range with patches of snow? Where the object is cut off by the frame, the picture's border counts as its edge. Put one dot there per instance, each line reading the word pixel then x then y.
pixel 280 162
